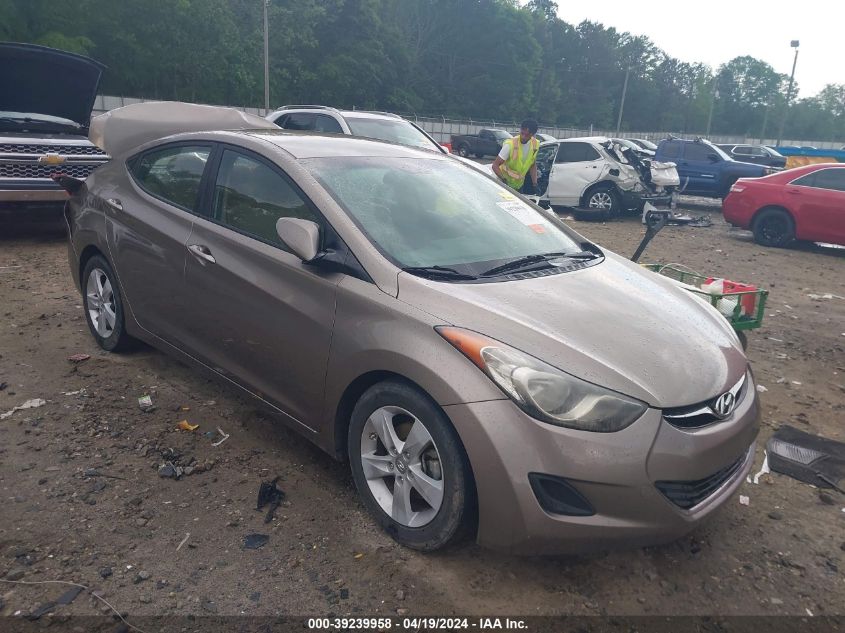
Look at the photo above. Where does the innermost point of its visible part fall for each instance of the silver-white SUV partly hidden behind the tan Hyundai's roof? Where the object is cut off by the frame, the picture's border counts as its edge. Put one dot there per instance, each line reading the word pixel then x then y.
pixel 383 126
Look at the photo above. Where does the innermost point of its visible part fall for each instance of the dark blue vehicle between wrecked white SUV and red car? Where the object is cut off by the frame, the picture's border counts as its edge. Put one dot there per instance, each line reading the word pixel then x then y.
pixel 704 169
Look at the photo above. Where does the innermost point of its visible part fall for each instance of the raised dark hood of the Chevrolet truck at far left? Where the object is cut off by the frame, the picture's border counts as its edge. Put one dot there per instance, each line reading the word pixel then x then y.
pixel 44 80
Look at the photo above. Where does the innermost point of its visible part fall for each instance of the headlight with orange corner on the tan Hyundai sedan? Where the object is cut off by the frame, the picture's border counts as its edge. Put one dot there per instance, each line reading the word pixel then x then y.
pixel 545 392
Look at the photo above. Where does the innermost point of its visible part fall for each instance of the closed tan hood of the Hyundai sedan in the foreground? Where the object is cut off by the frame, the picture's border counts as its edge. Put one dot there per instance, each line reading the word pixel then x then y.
pixel 613 324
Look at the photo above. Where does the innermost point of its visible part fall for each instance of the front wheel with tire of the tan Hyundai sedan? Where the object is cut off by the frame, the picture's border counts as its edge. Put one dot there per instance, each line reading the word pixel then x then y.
pixel 409 466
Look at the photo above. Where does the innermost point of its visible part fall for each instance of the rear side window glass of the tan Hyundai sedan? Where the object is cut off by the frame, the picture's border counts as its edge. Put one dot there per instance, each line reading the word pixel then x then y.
pixel 172 174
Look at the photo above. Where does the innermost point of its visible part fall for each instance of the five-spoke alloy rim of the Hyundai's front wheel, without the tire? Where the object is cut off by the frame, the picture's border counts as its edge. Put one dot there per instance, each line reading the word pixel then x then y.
pixel 402 466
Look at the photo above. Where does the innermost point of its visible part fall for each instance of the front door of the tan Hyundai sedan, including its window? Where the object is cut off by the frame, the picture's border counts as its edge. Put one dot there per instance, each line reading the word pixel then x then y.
pixel 259 315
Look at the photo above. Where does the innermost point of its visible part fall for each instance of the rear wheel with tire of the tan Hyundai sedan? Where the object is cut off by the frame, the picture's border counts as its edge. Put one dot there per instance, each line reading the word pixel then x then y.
pixel 103 306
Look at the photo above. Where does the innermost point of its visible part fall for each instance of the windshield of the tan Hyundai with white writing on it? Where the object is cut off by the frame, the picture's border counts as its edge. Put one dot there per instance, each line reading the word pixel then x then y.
pixel 428 212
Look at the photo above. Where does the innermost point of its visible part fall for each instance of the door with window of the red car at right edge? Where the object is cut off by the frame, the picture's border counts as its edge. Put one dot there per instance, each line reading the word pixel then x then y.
pixel 818 200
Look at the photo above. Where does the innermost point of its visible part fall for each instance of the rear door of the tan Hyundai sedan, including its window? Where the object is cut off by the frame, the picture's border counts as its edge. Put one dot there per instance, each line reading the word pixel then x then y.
pixel 148 223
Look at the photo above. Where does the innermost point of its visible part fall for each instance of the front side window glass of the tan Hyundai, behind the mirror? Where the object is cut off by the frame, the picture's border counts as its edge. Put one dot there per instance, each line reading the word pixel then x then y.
pixel 250 196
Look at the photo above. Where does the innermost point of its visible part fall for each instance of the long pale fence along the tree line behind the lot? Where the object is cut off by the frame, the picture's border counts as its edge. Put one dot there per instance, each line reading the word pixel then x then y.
pixel 442 128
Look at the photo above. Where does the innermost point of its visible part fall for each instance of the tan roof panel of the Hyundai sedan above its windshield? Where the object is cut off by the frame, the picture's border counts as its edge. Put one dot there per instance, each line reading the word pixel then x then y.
pixel 324 145
